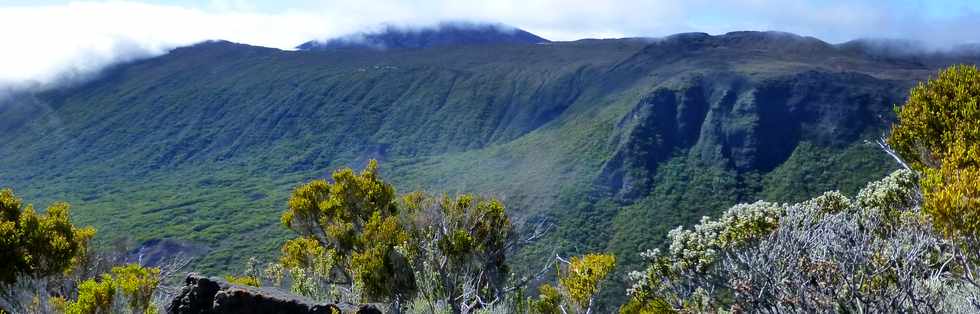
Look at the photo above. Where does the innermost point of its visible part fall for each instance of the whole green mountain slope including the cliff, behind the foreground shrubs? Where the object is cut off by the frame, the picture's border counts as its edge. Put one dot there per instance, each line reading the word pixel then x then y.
pixel 615 141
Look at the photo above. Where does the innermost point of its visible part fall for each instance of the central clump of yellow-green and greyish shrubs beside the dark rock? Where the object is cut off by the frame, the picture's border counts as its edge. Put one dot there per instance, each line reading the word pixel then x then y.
pixel 356 241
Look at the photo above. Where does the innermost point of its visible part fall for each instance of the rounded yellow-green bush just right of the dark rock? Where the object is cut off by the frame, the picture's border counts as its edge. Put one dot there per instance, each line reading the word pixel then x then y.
pixel 348 232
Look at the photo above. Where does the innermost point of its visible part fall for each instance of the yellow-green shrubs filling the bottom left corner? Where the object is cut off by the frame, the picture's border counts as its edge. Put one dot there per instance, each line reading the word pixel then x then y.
pixel 48 267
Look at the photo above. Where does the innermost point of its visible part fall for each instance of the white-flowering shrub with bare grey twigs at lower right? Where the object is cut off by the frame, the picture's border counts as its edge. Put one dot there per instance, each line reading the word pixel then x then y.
pixel 872 253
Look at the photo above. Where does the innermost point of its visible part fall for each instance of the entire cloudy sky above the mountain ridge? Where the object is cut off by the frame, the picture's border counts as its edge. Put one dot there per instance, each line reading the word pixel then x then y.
pixel 44 43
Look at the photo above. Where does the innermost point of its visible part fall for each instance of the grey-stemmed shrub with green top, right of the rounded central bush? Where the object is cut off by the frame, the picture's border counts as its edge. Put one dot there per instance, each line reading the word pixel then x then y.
pixel 458 248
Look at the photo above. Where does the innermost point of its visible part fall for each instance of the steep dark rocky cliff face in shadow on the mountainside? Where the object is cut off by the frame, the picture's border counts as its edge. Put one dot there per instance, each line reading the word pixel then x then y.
pixel 744 124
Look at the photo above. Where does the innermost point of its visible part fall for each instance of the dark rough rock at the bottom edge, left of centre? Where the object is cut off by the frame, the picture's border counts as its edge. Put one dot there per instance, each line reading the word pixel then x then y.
pixel 209 295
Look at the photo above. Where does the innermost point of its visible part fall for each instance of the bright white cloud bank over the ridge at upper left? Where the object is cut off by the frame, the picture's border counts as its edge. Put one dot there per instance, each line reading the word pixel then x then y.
pixel 43 44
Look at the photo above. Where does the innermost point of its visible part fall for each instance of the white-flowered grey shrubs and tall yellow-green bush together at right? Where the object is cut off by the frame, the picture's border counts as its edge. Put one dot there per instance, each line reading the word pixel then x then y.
pixel 906 243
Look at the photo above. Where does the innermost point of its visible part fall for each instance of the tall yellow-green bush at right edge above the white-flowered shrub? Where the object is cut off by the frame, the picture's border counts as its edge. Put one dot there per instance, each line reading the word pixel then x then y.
pixel 938 133
